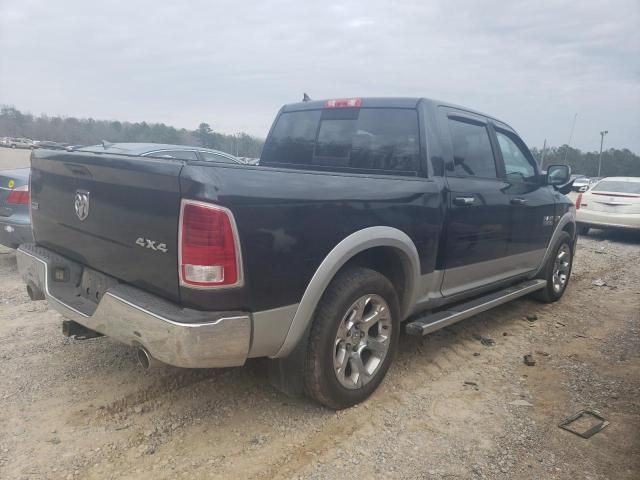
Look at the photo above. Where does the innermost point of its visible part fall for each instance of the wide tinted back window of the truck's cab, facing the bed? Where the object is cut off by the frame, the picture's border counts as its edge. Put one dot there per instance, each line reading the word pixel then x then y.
pixel 384 139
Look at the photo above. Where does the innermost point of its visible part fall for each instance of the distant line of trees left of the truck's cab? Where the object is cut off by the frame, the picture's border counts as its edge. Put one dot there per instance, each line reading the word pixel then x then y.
pixel 87 131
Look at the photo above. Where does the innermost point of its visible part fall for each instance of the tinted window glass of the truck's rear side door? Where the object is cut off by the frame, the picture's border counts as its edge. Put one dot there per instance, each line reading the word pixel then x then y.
pixel 472 152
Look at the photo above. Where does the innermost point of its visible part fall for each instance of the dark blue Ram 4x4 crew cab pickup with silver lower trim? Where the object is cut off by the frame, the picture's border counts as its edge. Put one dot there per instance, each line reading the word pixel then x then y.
pixel 364 216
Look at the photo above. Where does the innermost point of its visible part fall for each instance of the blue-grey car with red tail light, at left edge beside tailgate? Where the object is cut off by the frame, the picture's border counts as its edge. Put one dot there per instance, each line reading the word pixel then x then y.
pixel 15 227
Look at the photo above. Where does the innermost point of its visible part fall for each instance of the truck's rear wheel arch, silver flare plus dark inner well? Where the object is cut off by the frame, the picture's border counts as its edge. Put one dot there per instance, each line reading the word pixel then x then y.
pixel 360 248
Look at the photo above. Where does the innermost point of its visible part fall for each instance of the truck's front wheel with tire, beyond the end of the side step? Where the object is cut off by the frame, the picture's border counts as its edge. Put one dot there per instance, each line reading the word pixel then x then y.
pixel 557 270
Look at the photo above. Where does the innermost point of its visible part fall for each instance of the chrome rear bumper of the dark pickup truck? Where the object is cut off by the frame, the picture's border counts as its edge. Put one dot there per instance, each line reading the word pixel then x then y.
pixel 134 317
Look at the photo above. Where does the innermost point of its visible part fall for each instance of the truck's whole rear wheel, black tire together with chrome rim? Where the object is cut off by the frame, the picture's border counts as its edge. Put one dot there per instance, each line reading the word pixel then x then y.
pixel 333 375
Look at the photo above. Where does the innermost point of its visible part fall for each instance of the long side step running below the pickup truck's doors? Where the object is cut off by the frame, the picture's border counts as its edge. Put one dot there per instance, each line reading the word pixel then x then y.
pixel 435 321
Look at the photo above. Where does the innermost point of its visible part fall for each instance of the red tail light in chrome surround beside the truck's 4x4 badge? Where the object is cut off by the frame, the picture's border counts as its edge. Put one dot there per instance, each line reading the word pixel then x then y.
pixel 209 252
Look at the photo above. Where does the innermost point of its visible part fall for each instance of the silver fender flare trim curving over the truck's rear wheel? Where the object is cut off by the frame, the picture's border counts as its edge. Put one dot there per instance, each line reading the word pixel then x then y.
pixel 344 251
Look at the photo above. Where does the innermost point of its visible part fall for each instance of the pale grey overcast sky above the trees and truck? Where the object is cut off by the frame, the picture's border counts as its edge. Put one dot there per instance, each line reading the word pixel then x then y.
pixel 533 64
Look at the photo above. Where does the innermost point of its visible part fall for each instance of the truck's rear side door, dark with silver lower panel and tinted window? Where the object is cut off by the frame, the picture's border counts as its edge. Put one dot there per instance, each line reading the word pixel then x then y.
pixel 477 228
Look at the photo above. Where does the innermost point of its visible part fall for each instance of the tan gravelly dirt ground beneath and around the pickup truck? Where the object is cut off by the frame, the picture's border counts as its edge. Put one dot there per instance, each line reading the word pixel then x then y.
pixel 450 407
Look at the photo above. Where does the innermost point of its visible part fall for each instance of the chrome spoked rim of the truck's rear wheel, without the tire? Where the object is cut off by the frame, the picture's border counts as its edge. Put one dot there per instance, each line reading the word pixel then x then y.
pixel 362 341
